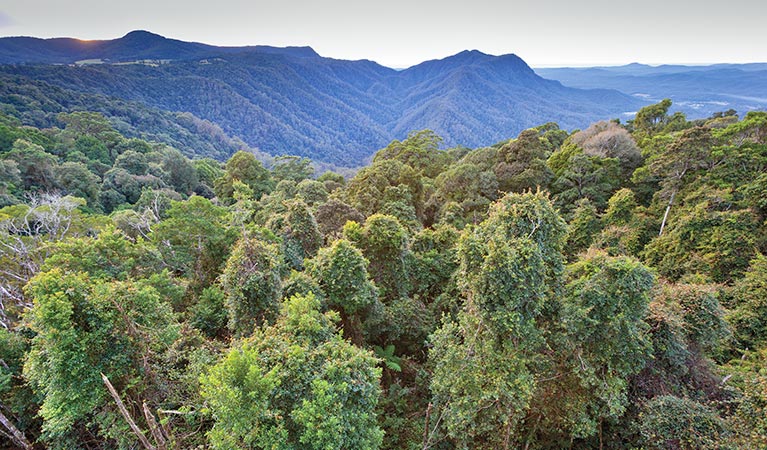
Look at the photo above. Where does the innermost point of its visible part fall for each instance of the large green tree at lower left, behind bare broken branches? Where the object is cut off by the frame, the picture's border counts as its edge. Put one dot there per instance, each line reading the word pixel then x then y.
pixel 82 329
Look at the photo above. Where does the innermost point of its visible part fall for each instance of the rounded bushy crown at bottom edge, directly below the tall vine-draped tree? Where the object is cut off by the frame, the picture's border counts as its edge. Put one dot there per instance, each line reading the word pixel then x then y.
pixel 481 387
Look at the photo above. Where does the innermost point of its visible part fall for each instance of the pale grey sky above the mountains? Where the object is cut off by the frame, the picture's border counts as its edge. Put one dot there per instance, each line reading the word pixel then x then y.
pixel 401 33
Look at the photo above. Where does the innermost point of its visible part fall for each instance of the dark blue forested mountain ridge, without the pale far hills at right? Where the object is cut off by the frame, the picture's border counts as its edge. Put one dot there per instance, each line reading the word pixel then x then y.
pixel 293 101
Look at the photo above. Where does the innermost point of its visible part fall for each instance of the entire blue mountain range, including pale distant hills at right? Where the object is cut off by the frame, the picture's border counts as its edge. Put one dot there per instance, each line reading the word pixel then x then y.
pixel 294 101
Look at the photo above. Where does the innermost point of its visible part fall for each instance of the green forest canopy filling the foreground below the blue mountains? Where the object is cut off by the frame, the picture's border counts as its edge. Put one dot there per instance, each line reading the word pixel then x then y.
pixel 603 288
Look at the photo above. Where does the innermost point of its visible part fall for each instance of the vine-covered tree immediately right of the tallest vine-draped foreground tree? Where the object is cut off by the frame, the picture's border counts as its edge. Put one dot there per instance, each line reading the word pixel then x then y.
pixel 605 342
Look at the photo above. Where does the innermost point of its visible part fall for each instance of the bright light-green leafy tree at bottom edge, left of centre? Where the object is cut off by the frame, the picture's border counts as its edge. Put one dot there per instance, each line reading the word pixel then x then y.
pixel 295 384
